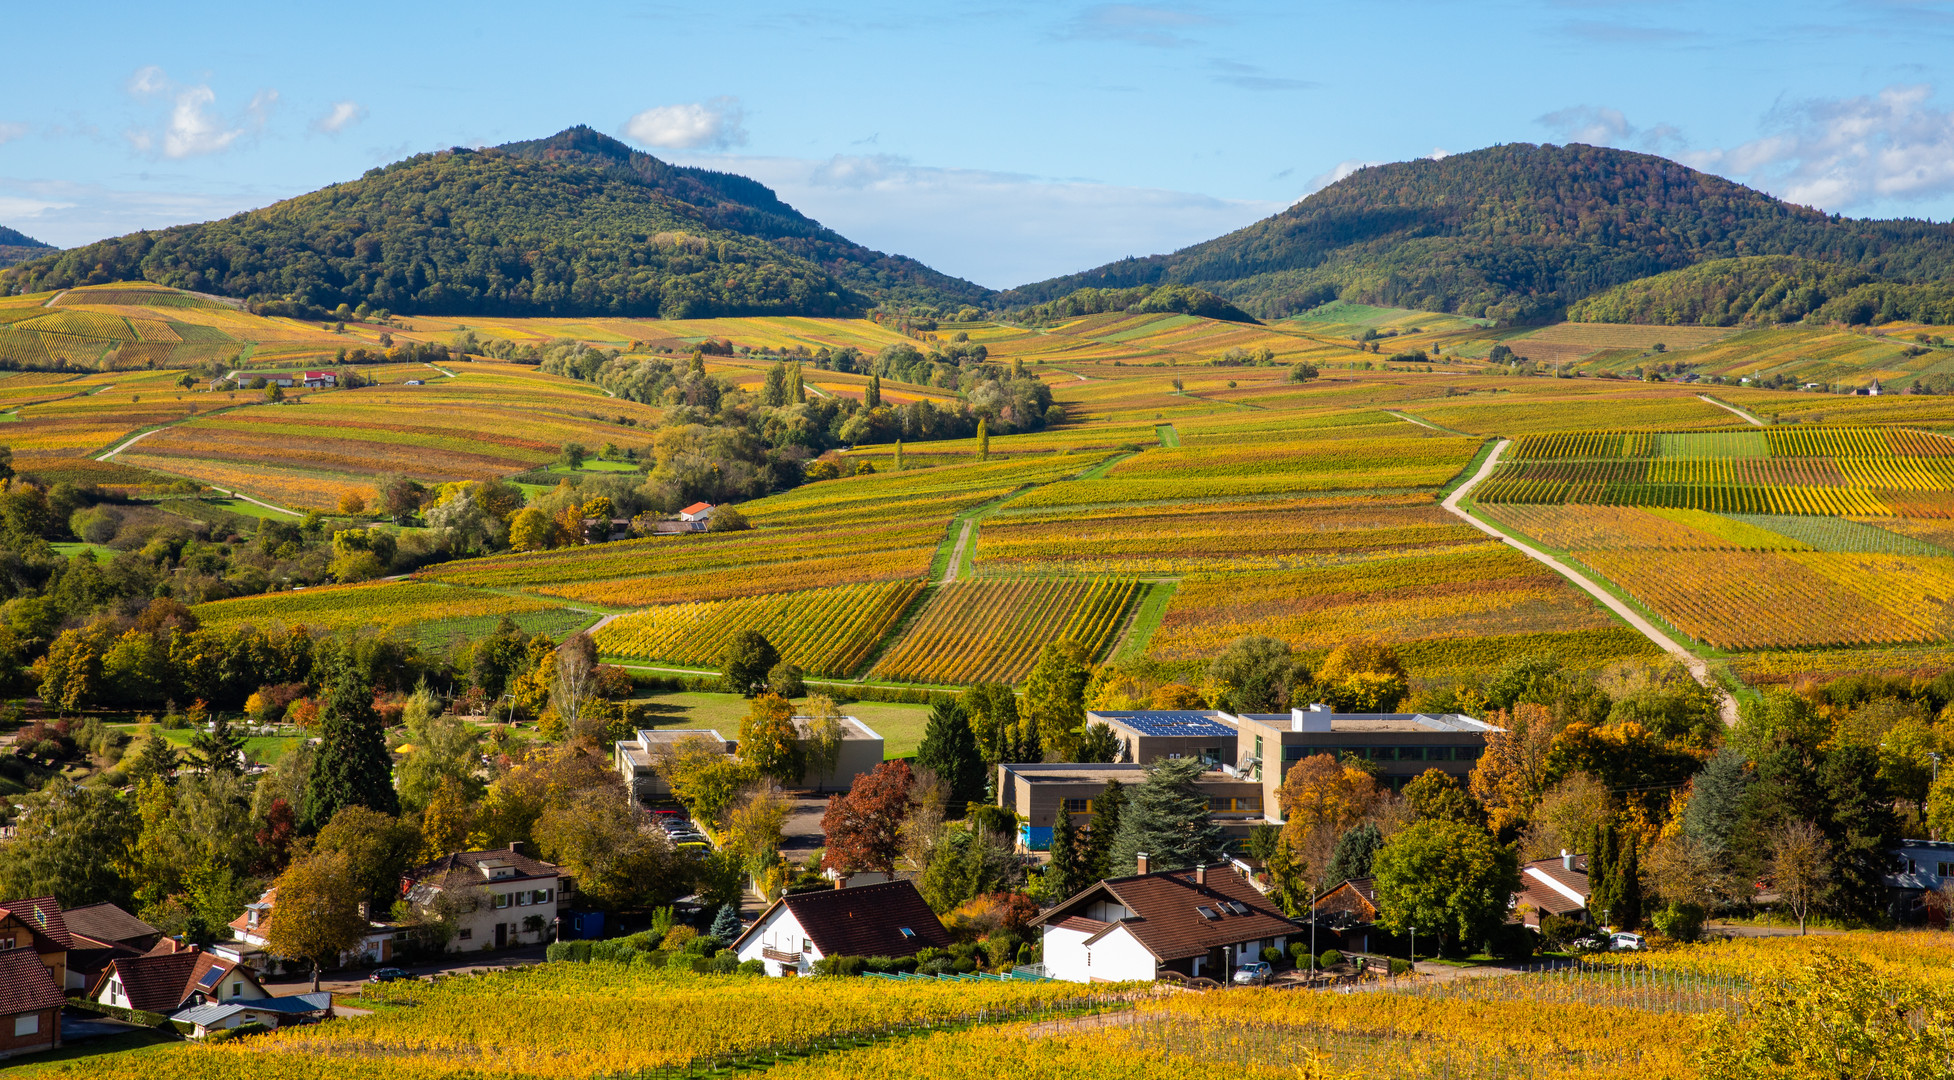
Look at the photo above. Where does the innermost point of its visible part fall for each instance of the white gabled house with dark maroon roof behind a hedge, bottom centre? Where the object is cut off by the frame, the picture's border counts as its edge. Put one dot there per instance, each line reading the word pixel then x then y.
pixel 869 921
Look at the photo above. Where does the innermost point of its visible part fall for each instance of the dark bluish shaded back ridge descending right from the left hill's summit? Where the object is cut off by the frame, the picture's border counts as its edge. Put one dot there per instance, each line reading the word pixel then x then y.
pixel 742 204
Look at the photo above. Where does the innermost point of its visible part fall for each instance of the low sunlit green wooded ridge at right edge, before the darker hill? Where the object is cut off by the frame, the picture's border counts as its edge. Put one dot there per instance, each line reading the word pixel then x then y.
pixel 1760 290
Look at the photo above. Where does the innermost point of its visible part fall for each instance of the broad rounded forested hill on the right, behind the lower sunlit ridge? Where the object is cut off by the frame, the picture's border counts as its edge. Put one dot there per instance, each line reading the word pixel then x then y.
pixel 1513 233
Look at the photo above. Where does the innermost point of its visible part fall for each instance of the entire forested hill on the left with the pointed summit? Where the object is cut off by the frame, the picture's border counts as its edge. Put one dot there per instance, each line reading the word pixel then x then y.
pixel 570 226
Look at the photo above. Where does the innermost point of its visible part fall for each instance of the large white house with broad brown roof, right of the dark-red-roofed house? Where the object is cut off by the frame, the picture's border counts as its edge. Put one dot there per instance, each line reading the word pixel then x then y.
pixel 1197 923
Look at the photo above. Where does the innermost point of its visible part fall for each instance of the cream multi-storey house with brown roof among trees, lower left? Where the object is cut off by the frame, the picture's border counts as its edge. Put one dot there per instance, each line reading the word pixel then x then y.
pixel 497 899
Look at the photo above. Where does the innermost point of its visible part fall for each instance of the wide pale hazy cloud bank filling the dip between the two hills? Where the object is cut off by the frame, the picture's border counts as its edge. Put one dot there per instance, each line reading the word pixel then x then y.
pixel 992 228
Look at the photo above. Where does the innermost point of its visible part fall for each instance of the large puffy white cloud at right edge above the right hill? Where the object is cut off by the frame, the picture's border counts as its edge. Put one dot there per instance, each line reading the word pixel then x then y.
pixel 1890 147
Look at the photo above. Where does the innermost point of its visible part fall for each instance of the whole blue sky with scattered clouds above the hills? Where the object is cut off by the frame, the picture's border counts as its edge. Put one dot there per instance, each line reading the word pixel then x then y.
pixel 996 142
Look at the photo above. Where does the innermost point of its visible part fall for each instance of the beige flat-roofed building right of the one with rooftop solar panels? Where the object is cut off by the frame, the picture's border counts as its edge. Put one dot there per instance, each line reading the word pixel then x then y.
pixel 1400 745
